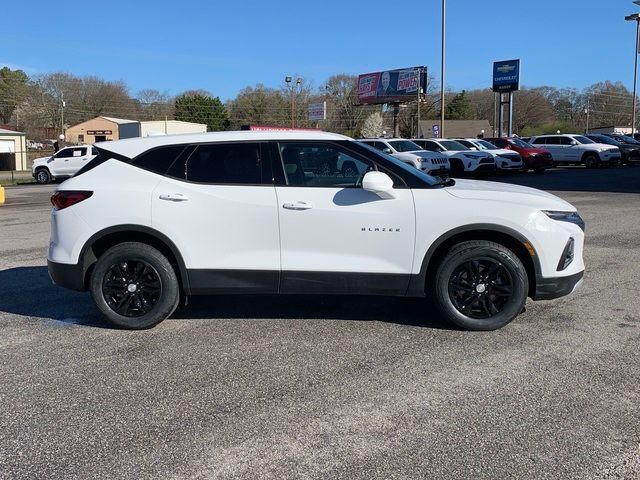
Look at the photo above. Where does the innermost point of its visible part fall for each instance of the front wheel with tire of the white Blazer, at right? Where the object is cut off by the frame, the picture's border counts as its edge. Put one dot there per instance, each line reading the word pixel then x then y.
pixel 472 305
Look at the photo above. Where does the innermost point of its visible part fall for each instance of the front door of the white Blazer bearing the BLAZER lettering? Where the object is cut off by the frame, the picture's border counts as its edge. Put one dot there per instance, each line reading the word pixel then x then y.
pixel 336 237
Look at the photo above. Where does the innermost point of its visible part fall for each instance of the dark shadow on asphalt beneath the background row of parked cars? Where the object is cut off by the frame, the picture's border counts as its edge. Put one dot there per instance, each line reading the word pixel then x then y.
pixel 579 179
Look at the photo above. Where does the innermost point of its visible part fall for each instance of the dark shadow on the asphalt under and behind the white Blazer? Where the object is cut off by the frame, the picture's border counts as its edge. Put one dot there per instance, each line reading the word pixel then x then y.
pixel 28 291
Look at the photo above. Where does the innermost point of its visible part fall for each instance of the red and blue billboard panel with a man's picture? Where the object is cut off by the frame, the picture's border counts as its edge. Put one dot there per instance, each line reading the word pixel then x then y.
pixel 391 85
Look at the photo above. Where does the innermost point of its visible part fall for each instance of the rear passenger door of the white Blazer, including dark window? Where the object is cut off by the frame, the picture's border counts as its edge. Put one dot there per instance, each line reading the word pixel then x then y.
pixel 217 203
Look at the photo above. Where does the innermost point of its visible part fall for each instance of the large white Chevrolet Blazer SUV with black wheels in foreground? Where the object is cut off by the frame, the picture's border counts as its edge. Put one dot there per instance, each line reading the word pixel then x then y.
pixel 152 219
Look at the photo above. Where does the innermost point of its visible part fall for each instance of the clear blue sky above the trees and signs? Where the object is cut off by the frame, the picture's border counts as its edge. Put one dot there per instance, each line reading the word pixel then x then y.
pixel 223 46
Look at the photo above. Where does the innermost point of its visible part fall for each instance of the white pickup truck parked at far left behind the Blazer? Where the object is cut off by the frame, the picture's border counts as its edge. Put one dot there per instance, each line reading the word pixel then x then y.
pixel 62 164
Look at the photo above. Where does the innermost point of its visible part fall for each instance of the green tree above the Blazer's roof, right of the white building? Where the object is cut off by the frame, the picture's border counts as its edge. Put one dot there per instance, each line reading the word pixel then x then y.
pixel 201 107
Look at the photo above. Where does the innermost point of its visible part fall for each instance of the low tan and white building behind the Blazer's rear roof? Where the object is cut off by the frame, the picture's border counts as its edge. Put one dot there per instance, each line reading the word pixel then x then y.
pixel 102 129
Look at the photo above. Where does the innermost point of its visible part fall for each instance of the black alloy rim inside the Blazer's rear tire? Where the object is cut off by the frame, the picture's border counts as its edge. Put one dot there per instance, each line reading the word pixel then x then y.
pixel 131 288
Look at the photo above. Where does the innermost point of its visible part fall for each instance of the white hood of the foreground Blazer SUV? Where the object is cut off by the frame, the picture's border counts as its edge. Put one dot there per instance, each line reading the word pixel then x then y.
pixel 508 193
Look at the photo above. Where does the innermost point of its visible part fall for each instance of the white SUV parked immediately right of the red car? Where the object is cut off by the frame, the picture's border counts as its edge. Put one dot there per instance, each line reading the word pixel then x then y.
pixel 577 149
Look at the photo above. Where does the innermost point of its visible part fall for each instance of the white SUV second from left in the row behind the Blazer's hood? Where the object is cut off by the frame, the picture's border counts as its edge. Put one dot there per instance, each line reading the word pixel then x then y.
pixel 462 158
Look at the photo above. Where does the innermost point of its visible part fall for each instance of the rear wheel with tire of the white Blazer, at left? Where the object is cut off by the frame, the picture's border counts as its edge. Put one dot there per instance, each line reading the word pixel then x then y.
pixel 134 286
